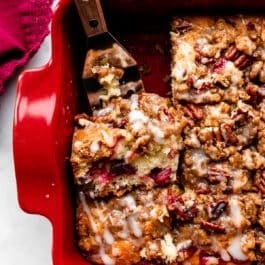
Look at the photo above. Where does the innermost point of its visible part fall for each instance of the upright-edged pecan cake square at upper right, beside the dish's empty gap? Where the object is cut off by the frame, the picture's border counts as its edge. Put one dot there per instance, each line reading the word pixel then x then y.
pixel 217 59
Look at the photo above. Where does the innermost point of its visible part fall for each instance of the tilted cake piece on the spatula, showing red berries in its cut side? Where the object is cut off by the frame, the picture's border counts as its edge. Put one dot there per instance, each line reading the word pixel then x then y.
pixel 129 143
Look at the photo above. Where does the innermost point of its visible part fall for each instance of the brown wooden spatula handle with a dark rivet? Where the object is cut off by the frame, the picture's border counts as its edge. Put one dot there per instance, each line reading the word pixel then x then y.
pixel 92 17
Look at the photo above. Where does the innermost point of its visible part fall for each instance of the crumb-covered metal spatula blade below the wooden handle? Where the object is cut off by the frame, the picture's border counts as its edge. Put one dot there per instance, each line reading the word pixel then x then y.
pixel 107 68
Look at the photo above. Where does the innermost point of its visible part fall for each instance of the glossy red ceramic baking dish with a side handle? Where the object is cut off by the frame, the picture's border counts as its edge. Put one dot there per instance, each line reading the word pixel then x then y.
pixel 47 100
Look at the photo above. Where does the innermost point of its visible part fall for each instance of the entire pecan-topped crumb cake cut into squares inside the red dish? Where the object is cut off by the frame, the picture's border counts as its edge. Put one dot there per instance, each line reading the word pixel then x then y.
pixel 180 183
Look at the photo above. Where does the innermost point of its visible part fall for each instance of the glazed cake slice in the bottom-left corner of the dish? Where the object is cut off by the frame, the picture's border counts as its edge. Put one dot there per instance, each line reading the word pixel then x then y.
pixel 122 230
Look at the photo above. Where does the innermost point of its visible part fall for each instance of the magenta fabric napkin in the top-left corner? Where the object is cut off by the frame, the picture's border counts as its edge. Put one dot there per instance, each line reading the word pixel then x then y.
pixel 23 26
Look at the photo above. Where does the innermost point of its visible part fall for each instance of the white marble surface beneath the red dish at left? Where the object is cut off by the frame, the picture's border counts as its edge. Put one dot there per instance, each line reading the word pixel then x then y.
pixel 24 239
